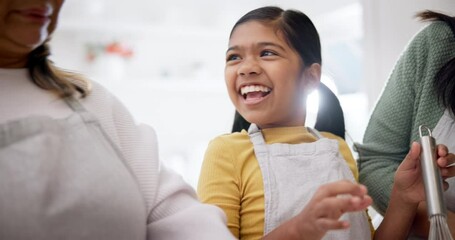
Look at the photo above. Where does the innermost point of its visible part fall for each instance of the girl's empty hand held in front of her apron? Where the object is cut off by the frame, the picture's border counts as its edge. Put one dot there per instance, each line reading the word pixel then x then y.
pixel 323 211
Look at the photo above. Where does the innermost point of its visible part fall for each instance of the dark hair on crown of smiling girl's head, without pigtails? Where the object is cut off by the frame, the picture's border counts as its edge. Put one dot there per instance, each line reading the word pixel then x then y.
pixel 297 28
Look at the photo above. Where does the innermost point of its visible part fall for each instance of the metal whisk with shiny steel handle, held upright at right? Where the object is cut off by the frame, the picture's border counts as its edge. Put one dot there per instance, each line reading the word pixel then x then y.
pixel 437 210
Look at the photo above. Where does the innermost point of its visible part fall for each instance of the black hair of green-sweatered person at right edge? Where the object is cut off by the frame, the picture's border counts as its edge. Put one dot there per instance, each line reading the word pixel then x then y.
pixel 444 83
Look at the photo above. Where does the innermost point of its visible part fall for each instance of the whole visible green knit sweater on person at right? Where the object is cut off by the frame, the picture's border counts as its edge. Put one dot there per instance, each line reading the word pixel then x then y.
pixel 407 101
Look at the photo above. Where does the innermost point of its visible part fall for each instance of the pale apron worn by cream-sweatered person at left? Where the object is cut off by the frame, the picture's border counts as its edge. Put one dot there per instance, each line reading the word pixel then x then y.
pixel 65 179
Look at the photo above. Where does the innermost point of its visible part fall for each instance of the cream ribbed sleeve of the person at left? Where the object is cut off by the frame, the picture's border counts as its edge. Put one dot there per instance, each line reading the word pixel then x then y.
pixel 173 210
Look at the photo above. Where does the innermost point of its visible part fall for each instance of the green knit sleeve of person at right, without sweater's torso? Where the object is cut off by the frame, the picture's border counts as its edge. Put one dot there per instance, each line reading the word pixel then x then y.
pixel 387 137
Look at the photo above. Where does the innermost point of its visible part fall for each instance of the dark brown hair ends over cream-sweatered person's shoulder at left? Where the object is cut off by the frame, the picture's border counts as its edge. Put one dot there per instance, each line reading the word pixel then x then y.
pixel 47 76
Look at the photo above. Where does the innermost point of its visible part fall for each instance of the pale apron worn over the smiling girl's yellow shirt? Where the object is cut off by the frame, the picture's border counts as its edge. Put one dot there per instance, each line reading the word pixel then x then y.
pixel 293 172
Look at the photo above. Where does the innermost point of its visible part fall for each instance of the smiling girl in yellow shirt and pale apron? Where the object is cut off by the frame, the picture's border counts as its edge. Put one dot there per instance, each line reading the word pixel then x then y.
pixel 280 179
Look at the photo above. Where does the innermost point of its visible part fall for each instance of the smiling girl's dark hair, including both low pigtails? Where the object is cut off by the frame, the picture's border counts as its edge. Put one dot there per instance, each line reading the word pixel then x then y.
pixel 301 34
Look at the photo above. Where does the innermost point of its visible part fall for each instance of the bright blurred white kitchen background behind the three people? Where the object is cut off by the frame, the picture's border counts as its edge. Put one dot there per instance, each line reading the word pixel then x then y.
pixel 165 59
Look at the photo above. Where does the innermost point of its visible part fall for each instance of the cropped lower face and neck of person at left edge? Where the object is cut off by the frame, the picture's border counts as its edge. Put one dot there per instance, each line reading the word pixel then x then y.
pixel 25 25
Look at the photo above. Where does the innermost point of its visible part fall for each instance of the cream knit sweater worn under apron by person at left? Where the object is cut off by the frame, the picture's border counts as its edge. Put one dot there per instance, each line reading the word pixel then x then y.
pixel 173 209
